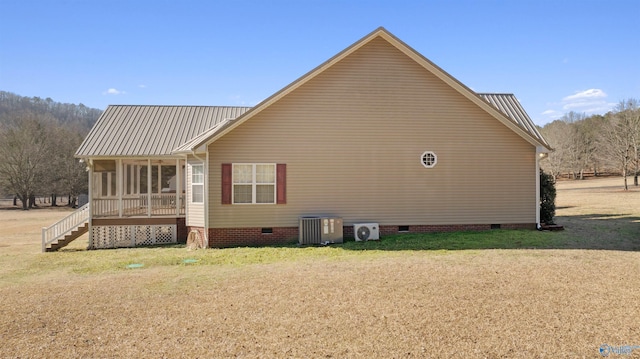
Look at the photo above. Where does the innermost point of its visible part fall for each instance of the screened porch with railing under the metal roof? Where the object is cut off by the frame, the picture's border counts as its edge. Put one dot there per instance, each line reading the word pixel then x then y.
pixel 137 188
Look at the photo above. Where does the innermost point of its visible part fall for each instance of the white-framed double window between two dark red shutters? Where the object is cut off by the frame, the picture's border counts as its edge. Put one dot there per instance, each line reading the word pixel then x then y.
pixel 254 183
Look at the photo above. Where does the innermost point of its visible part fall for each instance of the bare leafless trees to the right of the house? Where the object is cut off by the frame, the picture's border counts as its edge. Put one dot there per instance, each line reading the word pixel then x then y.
pixel 595 144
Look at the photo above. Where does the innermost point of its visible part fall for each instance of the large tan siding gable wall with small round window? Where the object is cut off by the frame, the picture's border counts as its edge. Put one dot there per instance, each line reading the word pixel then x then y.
pixel 352 138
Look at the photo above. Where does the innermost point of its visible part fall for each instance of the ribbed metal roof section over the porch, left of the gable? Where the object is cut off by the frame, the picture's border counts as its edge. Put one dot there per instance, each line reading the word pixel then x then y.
pixel 141 130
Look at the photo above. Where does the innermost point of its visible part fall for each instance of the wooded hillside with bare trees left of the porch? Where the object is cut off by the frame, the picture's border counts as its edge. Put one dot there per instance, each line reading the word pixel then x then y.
pixel 38 139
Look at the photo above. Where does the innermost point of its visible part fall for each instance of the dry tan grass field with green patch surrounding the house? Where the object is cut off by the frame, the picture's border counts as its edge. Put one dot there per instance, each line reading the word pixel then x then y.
pixel 495 294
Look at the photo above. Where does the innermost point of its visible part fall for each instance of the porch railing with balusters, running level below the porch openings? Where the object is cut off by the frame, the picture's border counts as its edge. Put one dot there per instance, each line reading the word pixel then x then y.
pixel 161 205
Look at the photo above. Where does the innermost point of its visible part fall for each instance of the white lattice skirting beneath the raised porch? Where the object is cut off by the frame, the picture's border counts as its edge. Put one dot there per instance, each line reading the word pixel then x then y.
pixel 132 236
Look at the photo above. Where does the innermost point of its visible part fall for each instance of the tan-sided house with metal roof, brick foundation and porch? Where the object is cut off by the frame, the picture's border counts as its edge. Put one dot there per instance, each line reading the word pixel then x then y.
pixel 378 133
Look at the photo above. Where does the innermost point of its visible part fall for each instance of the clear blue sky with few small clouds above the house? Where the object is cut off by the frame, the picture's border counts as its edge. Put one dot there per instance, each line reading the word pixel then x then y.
pixel 556 56
